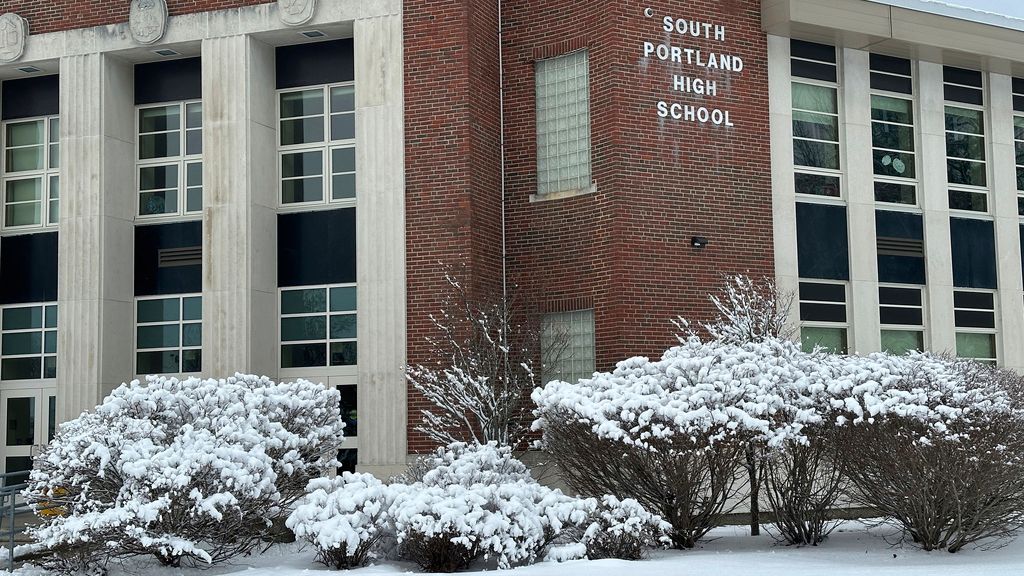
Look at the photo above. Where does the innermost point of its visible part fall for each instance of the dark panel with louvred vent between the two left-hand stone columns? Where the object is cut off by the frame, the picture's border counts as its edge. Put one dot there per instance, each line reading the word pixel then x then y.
pixel 151 278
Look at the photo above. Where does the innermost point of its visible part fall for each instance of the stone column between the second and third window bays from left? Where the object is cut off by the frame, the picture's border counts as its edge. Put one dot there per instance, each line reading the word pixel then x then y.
pixel 240 227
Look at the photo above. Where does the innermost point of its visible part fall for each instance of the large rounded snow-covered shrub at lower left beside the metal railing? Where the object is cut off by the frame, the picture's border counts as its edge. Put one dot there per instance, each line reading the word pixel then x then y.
pixel 192 472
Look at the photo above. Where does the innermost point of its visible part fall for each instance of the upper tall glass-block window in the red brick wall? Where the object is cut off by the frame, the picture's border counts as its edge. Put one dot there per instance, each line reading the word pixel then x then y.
pixel 563 87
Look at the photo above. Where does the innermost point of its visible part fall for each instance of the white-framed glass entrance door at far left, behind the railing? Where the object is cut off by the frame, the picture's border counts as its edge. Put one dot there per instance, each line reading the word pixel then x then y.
pixel 28 426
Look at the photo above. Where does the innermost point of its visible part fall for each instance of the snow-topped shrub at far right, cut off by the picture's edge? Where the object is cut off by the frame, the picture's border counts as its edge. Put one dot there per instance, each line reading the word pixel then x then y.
pixel 935 445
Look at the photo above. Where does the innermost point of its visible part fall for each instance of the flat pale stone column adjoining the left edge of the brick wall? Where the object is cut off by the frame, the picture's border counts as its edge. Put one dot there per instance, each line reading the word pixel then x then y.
pixel 380 244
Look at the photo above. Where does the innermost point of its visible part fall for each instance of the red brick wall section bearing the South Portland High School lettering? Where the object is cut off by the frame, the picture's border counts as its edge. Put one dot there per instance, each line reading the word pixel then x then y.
pixel 660 182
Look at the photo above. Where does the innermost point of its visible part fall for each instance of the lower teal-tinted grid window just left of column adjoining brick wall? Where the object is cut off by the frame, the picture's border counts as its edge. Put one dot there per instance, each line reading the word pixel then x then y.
pixel 318 326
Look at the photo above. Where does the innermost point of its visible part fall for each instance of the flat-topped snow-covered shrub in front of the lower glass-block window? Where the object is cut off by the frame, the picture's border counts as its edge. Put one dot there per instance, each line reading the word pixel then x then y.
pixel 672 434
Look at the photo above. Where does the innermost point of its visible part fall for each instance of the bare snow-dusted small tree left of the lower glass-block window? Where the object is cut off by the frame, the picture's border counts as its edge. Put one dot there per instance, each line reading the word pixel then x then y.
pixel 486 351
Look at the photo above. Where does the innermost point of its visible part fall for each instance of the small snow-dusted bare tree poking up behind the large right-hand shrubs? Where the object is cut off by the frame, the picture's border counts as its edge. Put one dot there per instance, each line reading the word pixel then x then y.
pixel 749 311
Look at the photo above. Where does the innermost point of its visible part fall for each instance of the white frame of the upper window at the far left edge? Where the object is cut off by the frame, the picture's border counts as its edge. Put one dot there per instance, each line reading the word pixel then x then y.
pixel 47 175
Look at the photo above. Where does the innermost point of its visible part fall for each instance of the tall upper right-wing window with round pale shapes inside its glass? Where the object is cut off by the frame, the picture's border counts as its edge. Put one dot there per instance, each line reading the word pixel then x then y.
pixel 892 131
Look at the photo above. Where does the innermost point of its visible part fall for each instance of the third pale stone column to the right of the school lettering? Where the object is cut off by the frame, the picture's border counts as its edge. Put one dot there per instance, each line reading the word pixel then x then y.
pixel 935 203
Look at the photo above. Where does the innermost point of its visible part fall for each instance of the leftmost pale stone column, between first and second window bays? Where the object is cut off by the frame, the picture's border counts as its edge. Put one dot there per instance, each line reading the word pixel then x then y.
pixel 96 284
